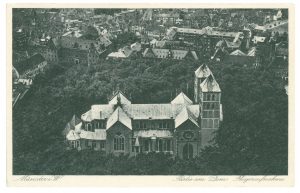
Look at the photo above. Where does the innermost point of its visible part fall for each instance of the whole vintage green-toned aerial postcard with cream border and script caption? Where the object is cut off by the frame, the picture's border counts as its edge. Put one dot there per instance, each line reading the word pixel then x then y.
pixel 145 92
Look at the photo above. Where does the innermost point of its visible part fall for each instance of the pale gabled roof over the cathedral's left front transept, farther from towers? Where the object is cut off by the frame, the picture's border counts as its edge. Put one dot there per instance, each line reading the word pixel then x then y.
pixel 121 116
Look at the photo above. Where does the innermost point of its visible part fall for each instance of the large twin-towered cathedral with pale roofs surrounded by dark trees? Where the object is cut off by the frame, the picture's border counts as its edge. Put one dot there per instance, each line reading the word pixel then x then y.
pixel 181 128
